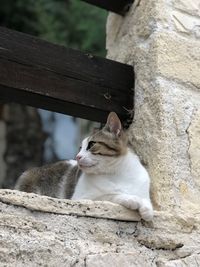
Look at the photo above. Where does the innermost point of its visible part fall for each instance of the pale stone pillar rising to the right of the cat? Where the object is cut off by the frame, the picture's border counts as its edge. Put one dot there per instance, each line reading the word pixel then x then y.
pixel 161 38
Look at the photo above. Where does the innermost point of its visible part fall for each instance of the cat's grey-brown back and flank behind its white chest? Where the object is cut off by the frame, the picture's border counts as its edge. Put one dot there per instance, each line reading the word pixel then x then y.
pixel 55 180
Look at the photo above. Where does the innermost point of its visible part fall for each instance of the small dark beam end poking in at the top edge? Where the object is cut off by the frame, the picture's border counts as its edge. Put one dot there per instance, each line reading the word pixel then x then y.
pixel 116 6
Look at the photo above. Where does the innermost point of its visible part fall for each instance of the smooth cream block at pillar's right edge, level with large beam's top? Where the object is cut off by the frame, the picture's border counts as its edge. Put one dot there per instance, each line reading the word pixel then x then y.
pixel 178 58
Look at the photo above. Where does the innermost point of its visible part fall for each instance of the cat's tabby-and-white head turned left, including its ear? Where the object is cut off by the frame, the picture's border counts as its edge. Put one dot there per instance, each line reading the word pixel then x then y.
pixel 102 149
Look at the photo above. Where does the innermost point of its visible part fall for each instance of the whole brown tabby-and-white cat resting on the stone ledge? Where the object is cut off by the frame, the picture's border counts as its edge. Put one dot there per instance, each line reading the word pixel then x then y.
pixel 106 169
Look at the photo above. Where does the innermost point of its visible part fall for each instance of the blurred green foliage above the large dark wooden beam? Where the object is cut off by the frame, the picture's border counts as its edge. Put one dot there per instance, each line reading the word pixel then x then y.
pixel 71 23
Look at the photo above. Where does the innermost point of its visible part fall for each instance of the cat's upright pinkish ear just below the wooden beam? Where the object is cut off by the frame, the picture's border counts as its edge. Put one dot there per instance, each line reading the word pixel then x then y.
pixel 113 124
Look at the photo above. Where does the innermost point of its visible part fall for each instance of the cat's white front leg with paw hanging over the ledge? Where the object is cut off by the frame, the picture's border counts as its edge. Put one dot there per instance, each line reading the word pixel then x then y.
pixel 136 203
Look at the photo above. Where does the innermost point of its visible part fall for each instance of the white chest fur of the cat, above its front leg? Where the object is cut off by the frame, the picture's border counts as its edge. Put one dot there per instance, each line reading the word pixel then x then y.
pixel 127 177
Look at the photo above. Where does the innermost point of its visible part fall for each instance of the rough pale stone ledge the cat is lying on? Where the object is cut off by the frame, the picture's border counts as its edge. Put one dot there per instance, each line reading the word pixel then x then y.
pixel 57 237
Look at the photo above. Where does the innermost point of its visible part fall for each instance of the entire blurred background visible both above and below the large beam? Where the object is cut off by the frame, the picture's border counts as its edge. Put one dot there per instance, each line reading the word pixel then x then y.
pixel 32 137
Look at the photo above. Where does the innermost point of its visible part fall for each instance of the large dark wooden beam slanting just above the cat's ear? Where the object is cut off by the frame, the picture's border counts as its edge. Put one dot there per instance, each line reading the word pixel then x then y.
pixel 37 73
